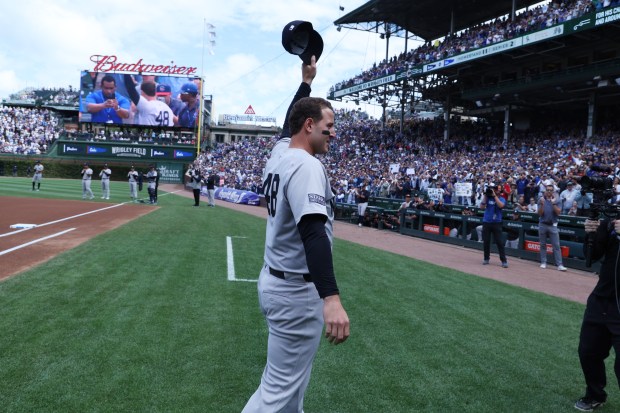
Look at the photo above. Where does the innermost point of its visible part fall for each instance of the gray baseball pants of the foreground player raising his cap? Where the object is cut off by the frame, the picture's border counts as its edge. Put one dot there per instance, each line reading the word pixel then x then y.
pixel 294 314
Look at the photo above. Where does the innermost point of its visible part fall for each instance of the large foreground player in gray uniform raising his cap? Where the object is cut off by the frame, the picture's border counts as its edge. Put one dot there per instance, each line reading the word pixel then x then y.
pixel 297 288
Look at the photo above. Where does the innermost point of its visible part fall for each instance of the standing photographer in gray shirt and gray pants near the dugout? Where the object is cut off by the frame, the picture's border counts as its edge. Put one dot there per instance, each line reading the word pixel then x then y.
pixel 548 212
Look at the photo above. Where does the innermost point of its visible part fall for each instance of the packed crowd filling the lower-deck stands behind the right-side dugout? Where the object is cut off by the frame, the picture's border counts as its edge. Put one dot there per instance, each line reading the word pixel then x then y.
pixel 392 164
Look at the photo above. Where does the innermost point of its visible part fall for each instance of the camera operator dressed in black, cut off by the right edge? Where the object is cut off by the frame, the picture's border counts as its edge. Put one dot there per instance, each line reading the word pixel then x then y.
pixel 600 329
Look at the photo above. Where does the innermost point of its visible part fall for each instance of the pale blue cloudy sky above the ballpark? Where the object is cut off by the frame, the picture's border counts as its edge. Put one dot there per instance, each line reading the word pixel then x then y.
pixel 46 43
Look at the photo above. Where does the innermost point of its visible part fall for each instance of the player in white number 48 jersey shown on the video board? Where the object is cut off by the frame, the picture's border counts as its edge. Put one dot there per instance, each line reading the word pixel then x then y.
pixel 151 111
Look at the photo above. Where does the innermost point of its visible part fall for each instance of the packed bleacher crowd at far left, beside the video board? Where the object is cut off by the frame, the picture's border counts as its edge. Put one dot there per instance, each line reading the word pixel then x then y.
pixel 27 131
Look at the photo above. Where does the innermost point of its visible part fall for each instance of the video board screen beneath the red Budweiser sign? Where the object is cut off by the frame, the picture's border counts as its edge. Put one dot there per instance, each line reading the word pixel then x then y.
pixel 139 100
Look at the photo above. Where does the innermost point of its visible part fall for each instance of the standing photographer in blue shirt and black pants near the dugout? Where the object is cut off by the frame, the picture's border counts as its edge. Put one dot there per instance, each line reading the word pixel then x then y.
pixel 493 204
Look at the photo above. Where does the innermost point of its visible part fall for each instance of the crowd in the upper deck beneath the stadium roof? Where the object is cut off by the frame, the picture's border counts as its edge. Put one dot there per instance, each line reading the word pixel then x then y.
pixel 538 18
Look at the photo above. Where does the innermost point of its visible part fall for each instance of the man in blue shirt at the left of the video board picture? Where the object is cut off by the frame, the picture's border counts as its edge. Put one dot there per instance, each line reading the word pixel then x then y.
pixel 106 105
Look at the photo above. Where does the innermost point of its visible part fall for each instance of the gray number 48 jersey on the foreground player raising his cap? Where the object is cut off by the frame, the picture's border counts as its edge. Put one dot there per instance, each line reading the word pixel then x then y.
pixel 295 184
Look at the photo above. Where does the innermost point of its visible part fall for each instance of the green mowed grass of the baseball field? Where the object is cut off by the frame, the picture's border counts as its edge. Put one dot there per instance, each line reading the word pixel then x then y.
pixel 144 319
